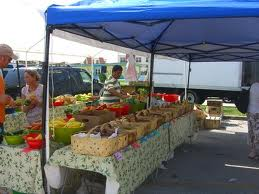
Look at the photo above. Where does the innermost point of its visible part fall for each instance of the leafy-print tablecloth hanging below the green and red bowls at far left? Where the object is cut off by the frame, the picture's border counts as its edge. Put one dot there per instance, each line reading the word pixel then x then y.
pixel 20 171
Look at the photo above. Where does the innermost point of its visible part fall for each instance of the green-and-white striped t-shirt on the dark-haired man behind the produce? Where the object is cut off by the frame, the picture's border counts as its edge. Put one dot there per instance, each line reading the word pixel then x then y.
pixel 107 97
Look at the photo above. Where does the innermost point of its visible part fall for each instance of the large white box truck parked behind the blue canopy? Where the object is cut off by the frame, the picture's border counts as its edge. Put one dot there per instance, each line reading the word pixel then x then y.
pixel 225 80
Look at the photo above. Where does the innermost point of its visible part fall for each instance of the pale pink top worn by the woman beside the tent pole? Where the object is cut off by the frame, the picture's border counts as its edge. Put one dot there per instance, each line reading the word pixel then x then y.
pixel 34 114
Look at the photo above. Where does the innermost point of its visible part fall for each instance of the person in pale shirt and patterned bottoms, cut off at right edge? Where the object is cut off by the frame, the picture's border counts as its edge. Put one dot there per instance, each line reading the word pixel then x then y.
pixel 253 121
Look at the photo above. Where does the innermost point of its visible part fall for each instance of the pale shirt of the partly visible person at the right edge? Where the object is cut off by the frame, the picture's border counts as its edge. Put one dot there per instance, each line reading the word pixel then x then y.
pixel 253 106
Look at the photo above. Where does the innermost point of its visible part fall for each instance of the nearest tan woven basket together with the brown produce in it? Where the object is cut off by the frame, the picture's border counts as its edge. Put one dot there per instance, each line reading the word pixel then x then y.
pixel 98 141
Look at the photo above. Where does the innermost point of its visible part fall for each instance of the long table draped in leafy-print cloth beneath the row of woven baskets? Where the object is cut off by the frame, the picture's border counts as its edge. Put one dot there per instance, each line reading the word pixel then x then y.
pixel 127 169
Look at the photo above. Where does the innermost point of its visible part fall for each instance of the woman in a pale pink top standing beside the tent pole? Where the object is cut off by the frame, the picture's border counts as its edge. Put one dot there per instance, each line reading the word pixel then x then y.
pixel 32 93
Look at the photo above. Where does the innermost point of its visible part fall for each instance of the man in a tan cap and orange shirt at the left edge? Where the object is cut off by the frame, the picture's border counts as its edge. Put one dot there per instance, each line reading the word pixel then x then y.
pixel 6 55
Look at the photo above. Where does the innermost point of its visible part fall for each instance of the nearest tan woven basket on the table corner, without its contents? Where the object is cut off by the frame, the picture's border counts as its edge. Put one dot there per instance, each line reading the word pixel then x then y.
pixel 96 146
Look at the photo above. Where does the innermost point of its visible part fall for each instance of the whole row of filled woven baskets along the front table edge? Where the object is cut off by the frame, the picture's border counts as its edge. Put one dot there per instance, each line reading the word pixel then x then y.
pixel 104 140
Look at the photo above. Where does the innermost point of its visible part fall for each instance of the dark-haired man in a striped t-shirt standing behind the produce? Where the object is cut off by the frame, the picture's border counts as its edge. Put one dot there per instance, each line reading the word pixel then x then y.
pixel 112 90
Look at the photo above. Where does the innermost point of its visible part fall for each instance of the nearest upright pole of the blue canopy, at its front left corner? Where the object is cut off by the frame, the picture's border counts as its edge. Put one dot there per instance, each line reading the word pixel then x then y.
pixel 45 106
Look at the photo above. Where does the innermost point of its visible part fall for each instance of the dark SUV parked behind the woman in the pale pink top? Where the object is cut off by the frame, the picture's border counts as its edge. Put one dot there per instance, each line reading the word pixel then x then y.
pixel 66 80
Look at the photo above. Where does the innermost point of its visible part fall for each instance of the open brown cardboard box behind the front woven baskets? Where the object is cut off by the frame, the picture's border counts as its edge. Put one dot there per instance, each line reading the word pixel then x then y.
pixel 94 118
